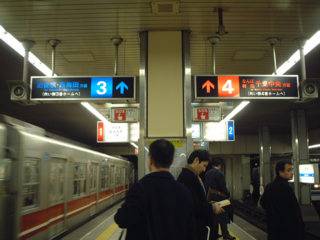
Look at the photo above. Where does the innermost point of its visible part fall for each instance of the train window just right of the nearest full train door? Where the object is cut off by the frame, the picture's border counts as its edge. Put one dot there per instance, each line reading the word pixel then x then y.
pixel 79 179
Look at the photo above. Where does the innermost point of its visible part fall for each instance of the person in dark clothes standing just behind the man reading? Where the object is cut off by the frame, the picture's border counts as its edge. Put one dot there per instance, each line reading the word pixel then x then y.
pixel 218 191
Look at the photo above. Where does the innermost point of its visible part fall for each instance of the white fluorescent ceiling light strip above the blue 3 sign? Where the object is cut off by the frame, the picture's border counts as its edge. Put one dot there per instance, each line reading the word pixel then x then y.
pixel 17 46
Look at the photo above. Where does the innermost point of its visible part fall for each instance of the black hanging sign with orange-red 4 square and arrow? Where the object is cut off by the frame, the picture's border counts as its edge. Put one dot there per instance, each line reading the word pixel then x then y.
pixel 246 87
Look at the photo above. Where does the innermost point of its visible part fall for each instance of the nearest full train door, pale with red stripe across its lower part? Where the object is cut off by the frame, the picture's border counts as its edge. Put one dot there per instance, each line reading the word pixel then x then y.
pixel 57 192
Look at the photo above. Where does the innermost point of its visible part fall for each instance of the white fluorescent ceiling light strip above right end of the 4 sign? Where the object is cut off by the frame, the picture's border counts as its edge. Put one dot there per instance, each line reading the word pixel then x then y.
pixel 310 44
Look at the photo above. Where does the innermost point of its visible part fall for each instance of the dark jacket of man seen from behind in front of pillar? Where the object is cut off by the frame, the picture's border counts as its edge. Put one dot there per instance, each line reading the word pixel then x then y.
pixel 157 208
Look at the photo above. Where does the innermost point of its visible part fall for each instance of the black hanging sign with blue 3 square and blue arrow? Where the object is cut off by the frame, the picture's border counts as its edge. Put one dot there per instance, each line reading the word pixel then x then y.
pixel 82 88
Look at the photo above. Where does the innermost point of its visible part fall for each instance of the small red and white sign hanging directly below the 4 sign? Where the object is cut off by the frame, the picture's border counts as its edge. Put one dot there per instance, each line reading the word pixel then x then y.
pixel 207 113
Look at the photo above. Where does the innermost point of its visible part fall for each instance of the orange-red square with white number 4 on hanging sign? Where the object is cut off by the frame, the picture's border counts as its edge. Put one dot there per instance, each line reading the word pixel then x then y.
pixel 228 86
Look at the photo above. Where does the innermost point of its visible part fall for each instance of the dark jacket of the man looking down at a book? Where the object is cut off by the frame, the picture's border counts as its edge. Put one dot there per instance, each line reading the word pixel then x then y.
pixel 203 210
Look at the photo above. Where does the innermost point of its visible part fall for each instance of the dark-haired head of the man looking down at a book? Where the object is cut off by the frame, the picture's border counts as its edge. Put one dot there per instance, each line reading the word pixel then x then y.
pixel 199 160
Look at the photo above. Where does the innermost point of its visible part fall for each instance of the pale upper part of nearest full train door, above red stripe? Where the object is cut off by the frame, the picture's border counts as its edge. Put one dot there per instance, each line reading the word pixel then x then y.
pixel 56 180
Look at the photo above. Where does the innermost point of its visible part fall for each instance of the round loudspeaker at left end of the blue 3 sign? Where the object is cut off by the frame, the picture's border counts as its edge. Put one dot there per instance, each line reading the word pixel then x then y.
pixel 19 90
